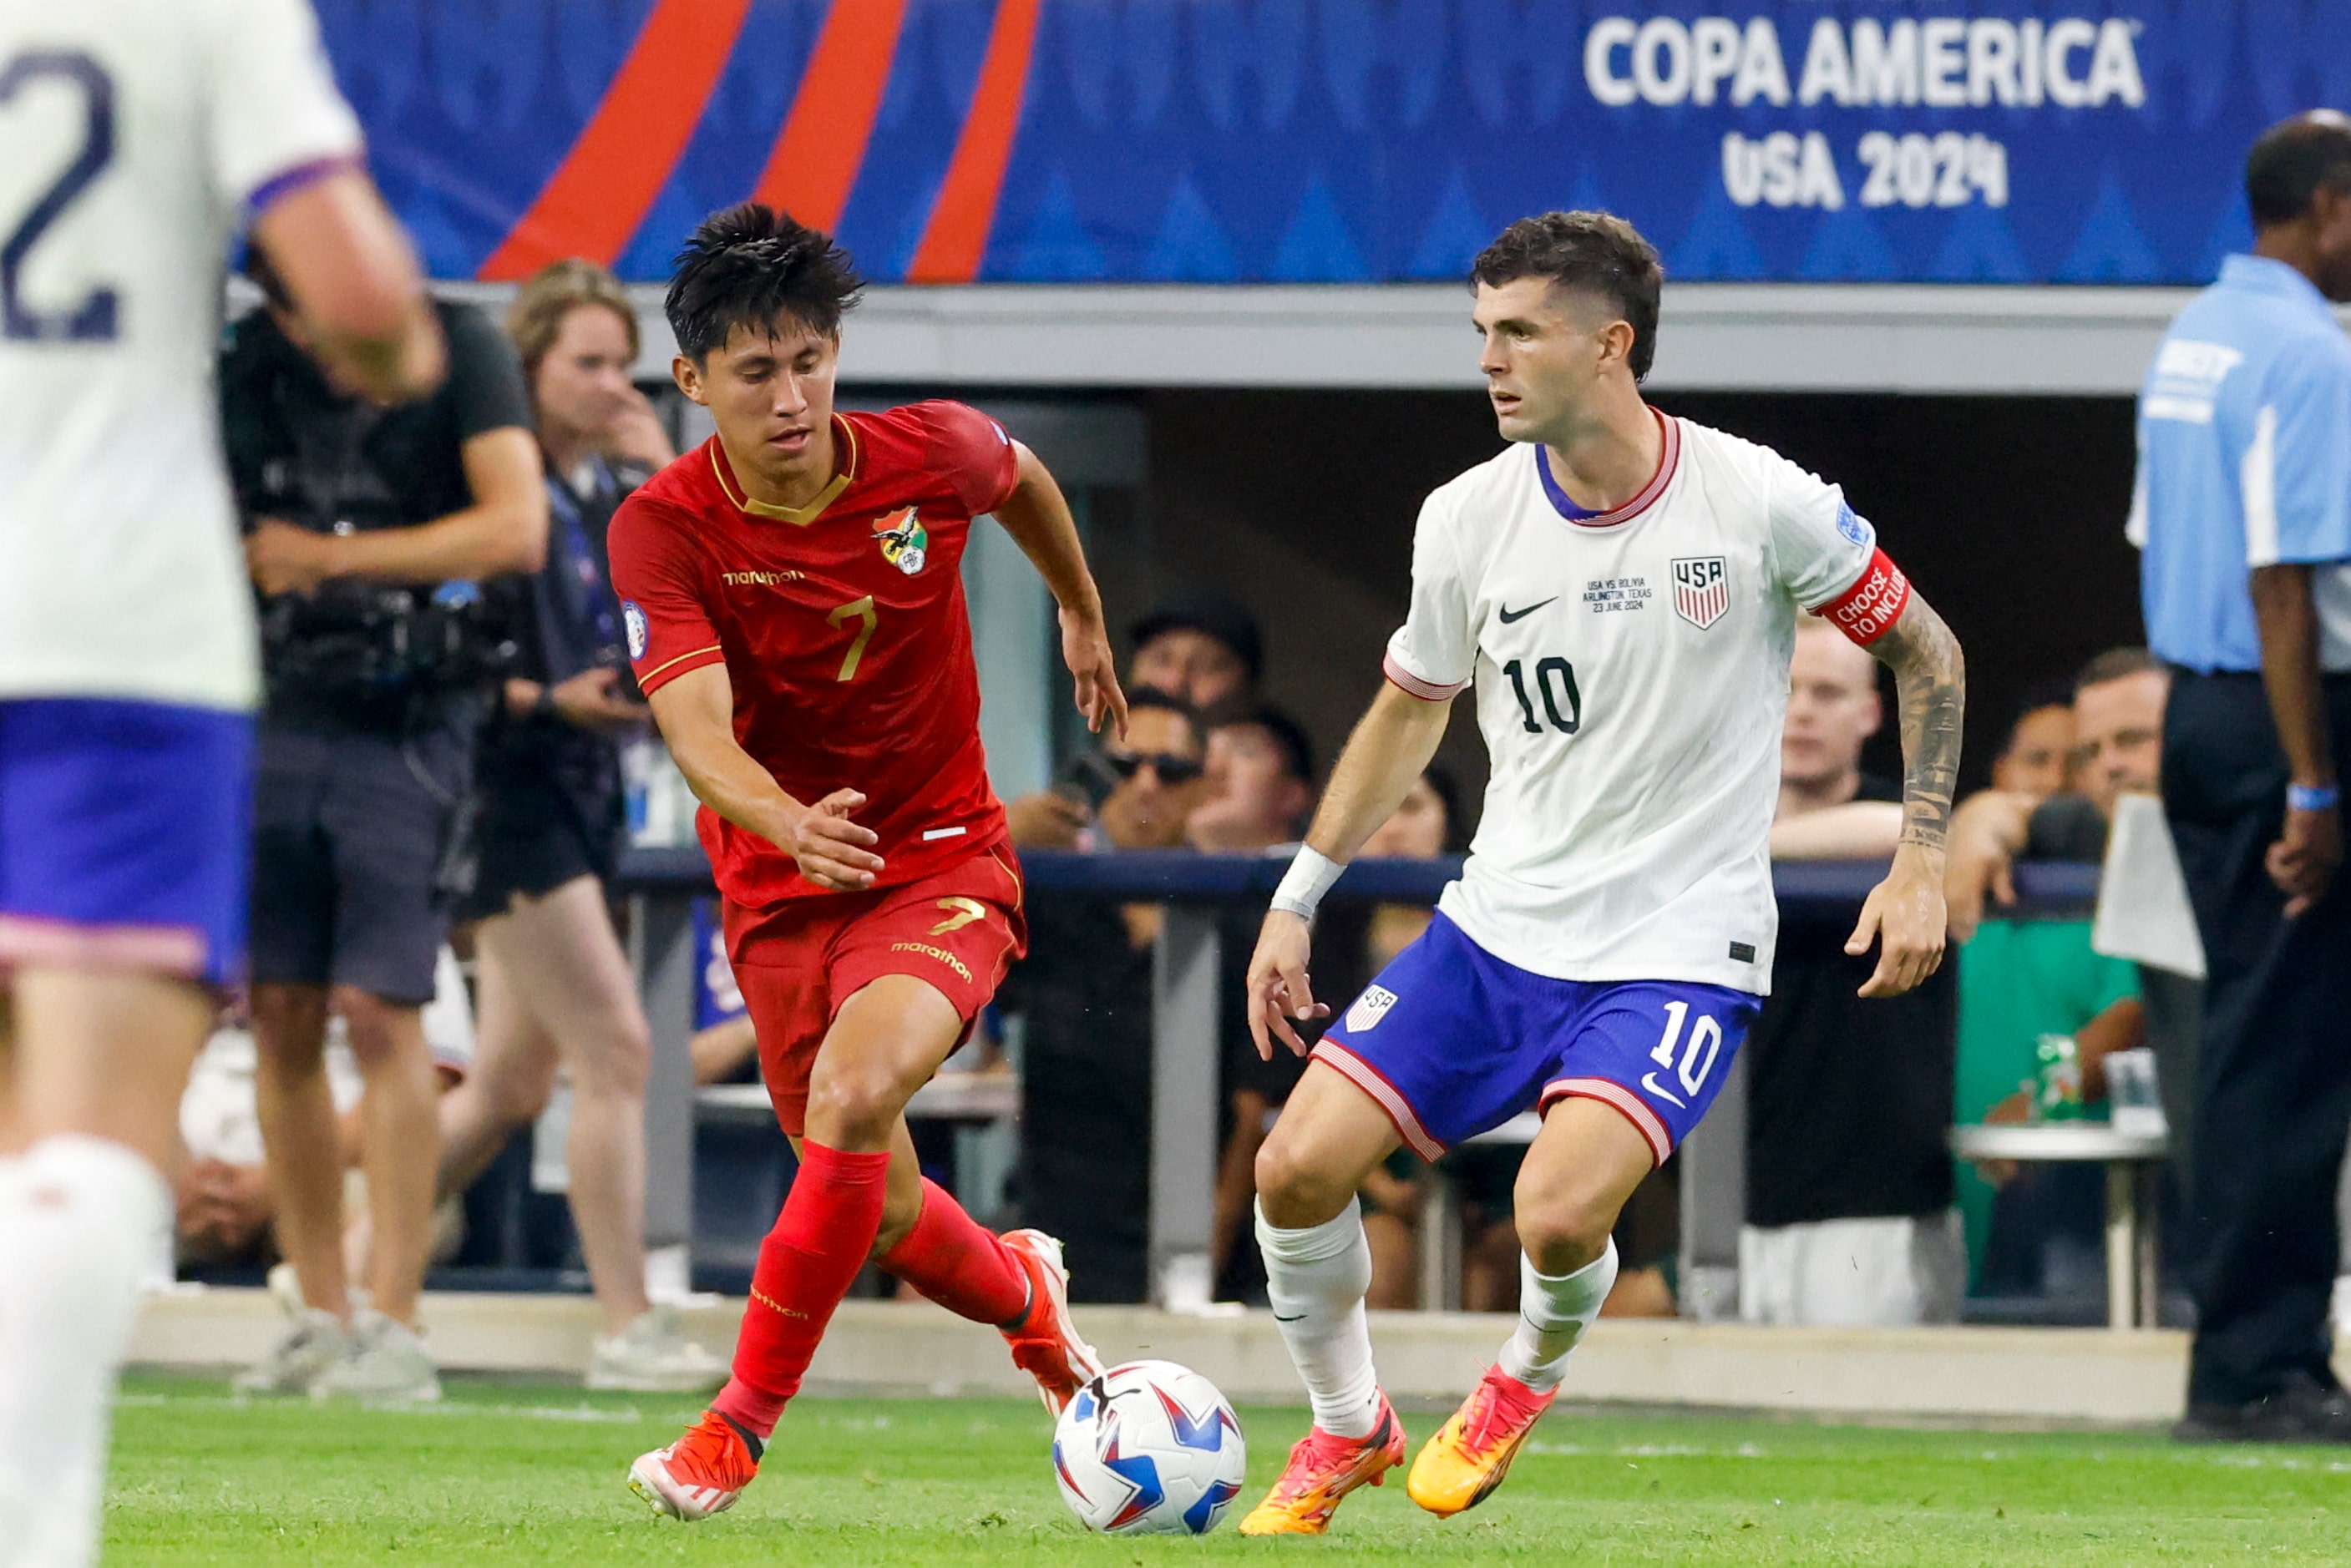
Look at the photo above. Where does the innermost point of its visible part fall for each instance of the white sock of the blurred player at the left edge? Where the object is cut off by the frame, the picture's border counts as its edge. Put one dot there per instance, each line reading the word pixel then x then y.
pixel 79 1221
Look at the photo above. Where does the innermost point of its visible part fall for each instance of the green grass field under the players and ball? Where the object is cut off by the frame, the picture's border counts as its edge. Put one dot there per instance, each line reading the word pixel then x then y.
pixel 535 1473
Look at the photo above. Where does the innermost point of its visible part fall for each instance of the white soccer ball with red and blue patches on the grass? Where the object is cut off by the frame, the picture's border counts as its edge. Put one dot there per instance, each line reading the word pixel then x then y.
pixel 1148 1449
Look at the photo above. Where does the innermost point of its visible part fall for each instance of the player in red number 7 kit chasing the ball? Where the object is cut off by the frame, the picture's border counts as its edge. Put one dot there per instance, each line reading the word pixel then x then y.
pixel 796 615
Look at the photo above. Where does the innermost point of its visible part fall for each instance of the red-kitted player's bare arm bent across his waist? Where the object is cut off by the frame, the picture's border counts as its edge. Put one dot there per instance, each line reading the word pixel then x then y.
pixel 697 723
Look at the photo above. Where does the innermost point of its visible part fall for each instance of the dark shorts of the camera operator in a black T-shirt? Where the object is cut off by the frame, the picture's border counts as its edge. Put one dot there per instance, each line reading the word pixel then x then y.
pixel 354 852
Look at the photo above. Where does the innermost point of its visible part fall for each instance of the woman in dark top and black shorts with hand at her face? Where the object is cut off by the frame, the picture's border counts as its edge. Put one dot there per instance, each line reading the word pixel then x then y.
pixel 556 986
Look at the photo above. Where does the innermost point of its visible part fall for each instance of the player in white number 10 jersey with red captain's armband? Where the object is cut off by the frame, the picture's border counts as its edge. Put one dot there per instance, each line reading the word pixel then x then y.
pixel 1623 591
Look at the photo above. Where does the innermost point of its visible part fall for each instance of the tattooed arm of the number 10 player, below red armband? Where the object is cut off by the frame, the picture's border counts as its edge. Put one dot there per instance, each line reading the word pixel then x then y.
pixel 1908 913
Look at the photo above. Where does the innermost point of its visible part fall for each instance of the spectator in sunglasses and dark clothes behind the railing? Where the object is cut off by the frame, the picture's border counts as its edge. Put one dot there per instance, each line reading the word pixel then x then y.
pixel 1085 993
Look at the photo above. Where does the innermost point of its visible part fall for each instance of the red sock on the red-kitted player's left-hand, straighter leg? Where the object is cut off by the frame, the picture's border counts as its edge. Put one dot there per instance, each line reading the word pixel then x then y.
pixel 808 1264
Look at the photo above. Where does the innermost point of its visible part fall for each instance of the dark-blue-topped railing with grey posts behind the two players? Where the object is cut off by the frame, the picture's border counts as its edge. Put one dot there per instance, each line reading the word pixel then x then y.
pixel 1186 1028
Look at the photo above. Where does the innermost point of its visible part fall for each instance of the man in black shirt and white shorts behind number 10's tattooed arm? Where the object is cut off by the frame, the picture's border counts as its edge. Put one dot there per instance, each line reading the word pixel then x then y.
pixel 1849 1101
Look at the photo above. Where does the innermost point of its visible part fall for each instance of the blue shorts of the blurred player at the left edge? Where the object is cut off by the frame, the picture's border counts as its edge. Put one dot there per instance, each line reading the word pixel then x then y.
pixel 123 836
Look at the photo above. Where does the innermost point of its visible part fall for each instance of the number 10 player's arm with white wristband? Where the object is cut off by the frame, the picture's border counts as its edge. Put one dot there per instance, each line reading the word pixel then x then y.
pixel 1386 756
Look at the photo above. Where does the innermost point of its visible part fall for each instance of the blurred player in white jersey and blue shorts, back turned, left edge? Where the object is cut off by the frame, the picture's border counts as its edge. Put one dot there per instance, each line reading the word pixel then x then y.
pixel 135 135
